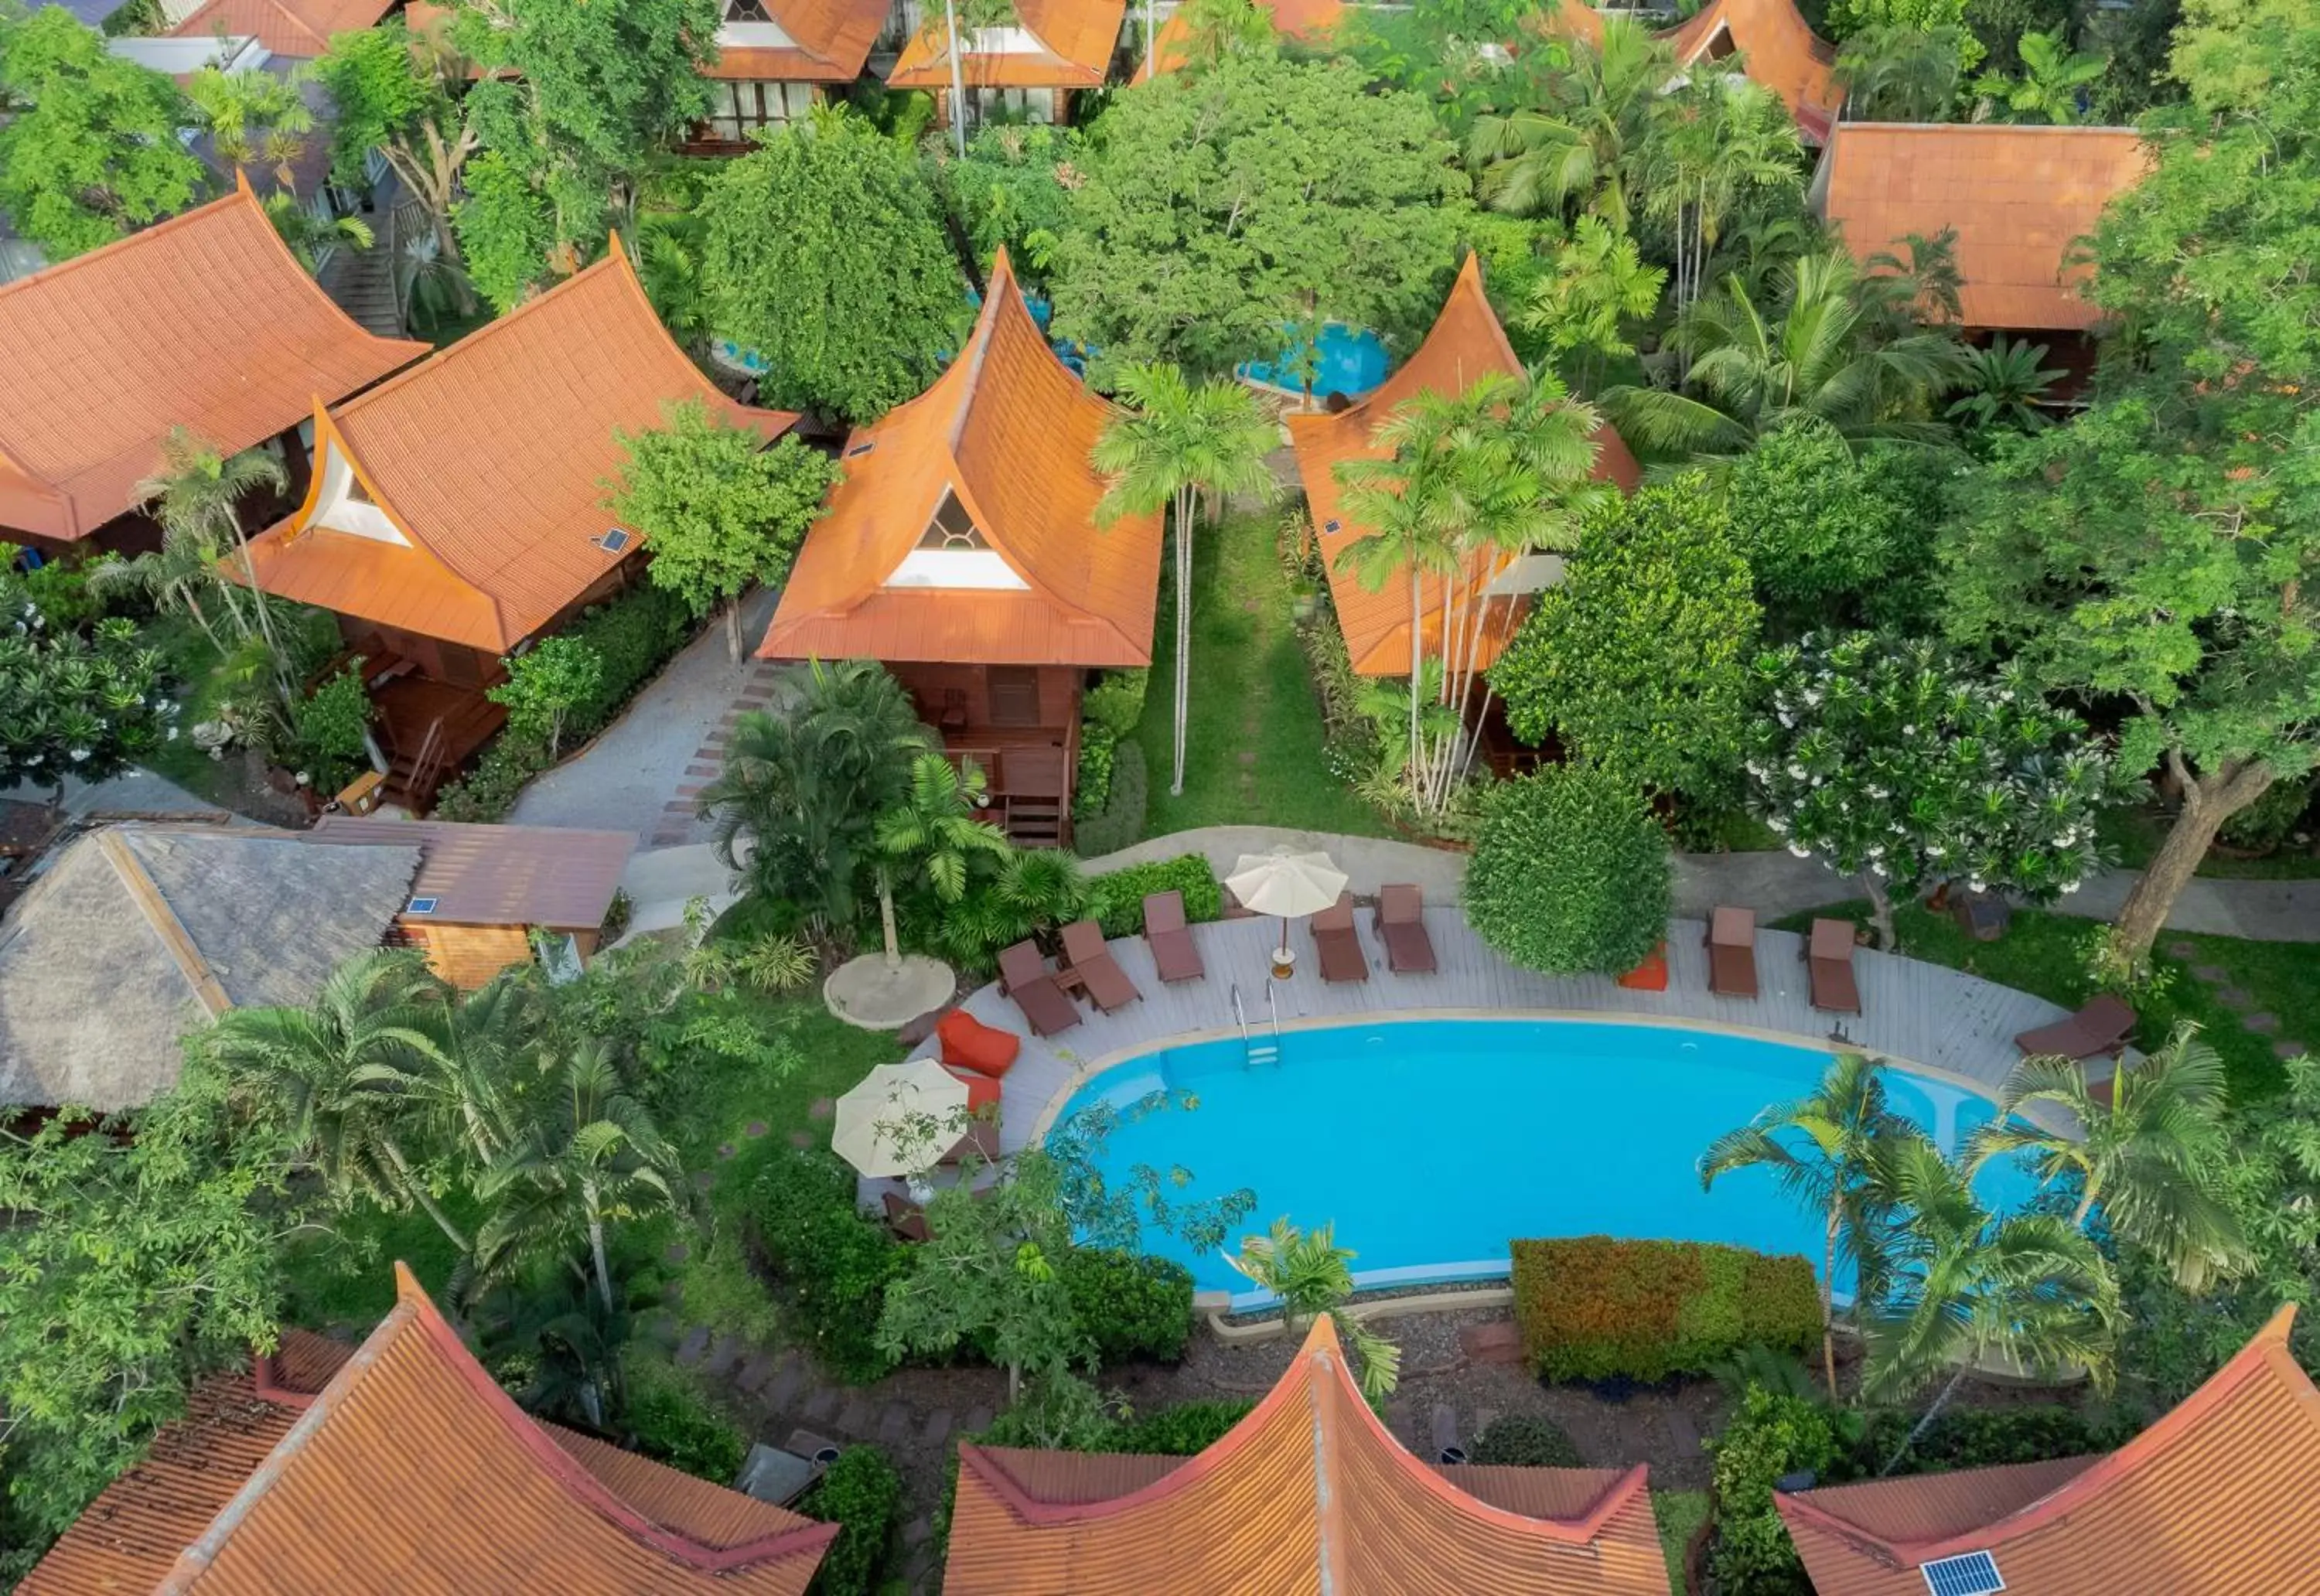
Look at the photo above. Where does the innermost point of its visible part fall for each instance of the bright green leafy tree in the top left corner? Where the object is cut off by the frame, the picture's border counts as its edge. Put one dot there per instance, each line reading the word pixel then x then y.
pixel 89 152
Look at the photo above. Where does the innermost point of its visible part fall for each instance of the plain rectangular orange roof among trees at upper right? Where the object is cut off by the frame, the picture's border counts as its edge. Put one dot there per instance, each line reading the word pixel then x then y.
pixel 2017 198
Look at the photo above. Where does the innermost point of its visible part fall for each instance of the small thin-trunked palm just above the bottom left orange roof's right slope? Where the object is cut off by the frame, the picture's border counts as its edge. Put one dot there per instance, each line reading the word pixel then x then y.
pixel 588 1159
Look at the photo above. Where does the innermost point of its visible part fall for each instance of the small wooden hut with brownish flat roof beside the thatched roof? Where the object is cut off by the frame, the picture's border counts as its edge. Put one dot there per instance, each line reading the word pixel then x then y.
pixel 484 890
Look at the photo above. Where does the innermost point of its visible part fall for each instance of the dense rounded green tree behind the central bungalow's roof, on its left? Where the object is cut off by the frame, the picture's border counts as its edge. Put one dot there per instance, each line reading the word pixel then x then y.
pixel 869 291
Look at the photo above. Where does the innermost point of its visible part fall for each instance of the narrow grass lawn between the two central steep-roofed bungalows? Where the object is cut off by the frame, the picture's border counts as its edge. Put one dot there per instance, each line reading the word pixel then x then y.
pixel 1254 748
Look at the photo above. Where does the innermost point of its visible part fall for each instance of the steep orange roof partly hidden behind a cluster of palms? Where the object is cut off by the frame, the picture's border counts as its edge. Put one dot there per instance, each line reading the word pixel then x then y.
pixel 1463 344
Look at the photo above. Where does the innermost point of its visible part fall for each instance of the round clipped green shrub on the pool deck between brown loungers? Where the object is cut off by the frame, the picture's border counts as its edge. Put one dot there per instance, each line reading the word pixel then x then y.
pixel 1569 873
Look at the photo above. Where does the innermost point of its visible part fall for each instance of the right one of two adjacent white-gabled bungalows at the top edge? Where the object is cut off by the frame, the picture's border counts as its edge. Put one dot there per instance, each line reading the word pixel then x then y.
pixel 1031 71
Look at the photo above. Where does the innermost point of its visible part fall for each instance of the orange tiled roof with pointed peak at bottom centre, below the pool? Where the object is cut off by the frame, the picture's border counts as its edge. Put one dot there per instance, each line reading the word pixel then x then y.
pixel 1305 1495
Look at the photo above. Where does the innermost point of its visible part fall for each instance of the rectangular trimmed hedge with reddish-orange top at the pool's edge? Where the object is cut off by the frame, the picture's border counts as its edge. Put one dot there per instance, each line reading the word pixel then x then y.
pixel 1597 1307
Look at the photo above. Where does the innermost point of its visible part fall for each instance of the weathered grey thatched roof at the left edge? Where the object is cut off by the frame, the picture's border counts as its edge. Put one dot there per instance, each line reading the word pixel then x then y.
pixel 140 934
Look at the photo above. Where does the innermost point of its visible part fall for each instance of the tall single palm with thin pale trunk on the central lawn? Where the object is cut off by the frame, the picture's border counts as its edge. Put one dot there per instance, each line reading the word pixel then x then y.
pixel 1173 444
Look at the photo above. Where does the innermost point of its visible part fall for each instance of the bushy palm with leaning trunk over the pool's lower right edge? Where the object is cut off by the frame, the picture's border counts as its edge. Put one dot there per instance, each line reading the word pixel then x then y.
pixel 1966 1289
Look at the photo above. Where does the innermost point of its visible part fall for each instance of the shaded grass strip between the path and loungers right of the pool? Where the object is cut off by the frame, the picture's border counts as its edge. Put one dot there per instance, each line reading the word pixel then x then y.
pixel 2047 955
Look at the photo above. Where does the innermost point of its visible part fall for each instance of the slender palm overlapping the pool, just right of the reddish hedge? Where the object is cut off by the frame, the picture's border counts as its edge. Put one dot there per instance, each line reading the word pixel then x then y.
pixel 1822 1149
